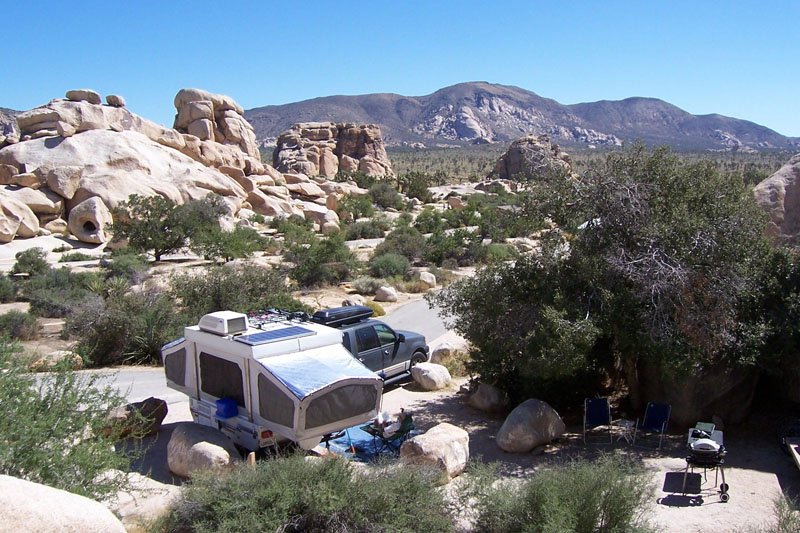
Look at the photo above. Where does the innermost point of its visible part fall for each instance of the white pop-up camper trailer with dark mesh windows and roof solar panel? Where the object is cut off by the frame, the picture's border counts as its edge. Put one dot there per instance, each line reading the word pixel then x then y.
pixel 270 378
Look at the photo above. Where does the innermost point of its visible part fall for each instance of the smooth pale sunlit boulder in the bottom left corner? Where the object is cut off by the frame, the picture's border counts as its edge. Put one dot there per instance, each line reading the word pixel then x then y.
pixel 27 506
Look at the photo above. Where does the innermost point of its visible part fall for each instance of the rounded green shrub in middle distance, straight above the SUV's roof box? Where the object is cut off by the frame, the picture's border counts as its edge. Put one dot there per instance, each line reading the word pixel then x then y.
pixel 321 262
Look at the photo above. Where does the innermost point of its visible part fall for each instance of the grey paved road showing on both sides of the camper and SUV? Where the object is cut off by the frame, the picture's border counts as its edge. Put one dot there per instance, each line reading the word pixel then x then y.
pixel 139 383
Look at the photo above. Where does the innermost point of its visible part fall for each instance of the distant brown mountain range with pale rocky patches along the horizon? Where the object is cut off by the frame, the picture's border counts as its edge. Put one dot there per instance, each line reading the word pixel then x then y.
pixel 484 112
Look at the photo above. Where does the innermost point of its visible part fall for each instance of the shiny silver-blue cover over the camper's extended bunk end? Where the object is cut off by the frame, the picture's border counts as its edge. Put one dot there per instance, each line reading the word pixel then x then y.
pixel 307 372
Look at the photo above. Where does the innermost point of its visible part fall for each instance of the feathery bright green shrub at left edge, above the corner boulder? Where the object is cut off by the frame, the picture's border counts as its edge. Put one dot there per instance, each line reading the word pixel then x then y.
pixel 53 432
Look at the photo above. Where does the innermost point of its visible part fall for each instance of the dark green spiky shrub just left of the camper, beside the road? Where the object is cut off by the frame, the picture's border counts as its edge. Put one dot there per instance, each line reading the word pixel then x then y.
pixel 124 328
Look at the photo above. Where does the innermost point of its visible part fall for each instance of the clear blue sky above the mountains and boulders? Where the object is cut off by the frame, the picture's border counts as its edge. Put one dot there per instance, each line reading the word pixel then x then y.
pixel 734 58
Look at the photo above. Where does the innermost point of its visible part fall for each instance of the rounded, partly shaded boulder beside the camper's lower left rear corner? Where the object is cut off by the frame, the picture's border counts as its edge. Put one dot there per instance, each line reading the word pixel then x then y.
pixel 193 447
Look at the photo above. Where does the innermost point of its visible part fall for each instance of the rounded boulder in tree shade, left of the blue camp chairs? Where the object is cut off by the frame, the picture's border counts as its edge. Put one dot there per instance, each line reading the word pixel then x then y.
pixel 531 424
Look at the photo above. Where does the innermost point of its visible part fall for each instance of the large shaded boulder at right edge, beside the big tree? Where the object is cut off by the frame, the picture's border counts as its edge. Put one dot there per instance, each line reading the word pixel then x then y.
pixel 779 196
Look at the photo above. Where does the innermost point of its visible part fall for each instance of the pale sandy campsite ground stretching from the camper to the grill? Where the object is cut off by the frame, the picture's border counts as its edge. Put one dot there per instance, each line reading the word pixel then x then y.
pixel 756 468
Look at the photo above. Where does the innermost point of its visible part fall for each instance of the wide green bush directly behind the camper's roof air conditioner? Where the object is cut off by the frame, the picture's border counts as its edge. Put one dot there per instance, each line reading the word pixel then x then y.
pixel 244 289
